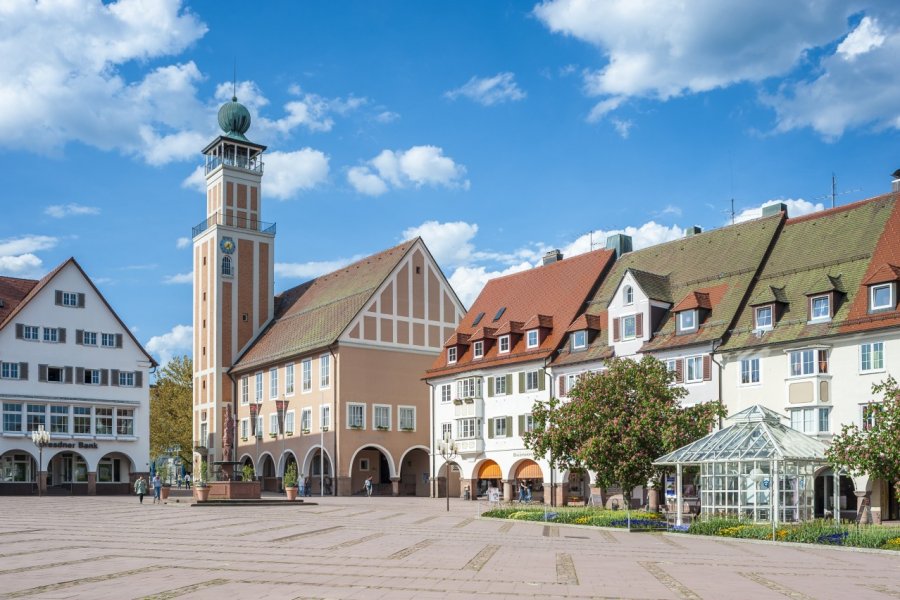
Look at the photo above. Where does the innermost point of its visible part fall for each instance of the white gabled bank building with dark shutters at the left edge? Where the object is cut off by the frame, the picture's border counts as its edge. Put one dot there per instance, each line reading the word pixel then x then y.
pixel 69 364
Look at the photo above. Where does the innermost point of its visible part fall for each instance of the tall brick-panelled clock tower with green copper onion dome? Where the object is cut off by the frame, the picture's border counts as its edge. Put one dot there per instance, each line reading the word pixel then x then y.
pixel 233 276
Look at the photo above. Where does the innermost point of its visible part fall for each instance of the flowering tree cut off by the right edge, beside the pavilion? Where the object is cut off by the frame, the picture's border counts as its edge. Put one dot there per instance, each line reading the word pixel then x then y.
pixel 875 450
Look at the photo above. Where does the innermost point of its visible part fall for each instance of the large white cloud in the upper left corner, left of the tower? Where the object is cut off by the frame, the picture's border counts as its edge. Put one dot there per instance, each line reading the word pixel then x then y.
pixel 63 71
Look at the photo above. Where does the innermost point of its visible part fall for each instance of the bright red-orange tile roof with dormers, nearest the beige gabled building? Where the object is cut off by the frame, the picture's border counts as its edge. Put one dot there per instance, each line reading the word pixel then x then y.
pixel 552 295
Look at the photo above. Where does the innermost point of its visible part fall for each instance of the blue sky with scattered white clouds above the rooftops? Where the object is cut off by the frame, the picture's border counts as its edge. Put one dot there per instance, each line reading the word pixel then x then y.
pixel 496 130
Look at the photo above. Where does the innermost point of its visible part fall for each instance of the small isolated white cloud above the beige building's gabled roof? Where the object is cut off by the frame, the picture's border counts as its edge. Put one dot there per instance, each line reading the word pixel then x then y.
pixel 418 166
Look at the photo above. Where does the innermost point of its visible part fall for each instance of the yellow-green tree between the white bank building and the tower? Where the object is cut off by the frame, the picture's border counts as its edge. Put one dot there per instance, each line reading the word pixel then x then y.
pixel 170 409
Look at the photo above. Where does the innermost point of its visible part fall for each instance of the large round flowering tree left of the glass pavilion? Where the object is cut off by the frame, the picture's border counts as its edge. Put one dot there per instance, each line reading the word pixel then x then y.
pixel 618 421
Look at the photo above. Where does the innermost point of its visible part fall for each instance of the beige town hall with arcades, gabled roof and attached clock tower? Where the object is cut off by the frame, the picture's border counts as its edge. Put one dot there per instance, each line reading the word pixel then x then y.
pixel 325 375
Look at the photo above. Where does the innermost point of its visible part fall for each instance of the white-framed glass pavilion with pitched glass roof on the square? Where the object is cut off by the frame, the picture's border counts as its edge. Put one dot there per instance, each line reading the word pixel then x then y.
pixel 757 468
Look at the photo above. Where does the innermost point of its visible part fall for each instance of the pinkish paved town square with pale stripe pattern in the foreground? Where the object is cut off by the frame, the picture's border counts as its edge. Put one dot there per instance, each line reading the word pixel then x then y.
pixel 112 547
